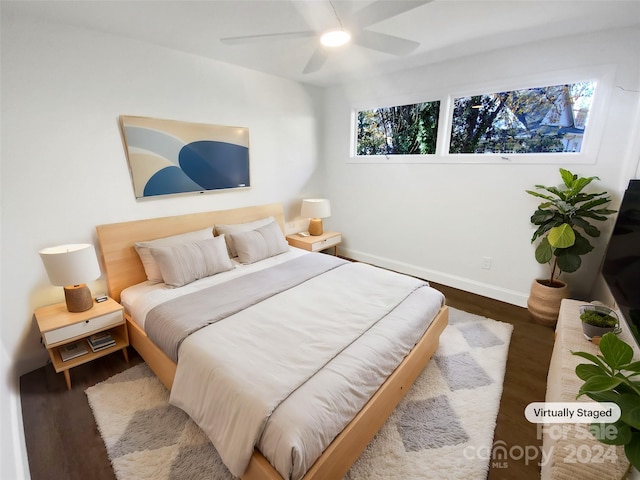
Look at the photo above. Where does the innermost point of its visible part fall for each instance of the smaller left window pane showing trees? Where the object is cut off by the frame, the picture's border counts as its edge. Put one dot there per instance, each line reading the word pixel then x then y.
pixel 401 130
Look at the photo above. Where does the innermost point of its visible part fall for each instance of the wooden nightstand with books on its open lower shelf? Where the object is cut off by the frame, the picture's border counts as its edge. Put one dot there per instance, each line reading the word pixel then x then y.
pixel 61 329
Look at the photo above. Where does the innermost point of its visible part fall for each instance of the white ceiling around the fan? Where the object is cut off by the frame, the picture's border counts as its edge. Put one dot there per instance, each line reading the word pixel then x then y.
pixel 444 28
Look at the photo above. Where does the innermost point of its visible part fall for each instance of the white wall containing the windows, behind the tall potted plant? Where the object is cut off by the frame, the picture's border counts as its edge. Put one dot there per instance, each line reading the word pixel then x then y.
pixel 438 220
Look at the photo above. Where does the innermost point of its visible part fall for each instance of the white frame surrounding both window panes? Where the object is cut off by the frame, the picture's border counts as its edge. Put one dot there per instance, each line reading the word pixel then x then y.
pixel 603 76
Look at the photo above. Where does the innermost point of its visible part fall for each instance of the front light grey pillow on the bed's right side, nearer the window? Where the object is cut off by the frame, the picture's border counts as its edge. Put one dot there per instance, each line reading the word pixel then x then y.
pixel 261 243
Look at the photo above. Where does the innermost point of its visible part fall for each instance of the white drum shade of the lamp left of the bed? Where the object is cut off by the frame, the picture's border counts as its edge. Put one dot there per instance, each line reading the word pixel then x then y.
pixel 72 264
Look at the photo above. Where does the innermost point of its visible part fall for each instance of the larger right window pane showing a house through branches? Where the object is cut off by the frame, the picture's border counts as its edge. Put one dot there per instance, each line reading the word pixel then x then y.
pixel 535 120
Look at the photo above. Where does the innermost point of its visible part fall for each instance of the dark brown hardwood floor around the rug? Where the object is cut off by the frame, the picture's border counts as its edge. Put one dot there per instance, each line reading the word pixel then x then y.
pixel 63 441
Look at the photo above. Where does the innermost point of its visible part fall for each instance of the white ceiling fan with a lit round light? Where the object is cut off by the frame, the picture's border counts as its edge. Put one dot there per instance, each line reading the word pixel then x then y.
pixel 355 31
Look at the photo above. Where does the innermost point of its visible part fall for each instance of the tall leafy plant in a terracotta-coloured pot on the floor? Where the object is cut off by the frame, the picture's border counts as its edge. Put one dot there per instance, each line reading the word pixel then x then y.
pixel 564 225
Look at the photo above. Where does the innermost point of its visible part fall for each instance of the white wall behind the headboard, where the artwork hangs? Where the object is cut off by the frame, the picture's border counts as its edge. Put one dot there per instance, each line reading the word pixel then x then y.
pixel 64 169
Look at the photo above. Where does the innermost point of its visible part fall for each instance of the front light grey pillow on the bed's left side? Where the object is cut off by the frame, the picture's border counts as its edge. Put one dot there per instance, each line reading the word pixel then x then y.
pixel 187 262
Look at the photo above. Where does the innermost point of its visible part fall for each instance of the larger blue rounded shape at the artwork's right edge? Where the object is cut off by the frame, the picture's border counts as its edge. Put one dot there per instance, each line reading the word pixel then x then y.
pixel 216 165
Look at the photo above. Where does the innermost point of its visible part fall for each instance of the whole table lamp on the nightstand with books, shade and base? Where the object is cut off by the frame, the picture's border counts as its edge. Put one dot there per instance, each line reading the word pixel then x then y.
pixel 71 266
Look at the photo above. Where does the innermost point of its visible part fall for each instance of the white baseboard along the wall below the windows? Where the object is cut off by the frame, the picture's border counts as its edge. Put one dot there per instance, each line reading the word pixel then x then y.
pixel 486 290
